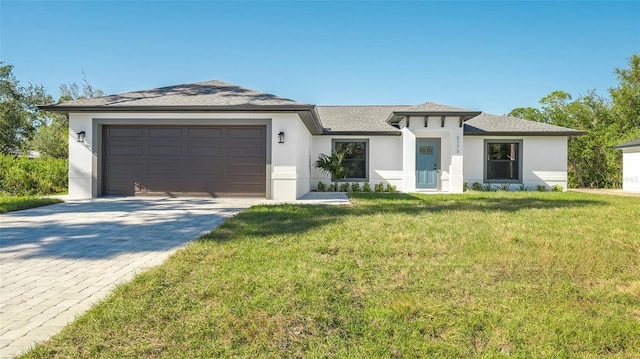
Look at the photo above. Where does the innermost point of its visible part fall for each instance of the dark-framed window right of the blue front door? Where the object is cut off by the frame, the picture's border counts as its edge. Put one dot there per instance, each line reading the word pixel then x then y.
pixel 503 161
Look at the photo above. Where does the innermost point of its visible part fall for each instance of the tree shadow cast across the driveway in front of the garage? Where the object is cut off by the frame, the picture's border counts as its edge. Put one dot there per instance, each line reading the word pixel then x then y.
pixel 105 228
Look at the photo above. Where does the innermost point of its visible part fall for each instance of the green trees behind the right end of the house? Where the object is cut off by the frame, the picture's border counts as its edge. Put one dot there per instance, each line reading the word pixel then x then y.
pixel 607 121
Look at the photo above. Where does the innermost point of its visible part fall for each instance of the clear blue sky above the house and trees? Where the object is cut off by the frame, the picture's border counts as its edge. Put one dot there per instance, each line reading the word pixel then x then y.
pixel 480 55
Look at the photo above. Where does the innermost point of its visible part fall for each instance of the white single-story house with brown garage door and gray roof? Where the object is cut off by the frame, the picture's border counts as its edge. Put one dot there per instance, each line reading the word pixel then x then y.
pixel 218 139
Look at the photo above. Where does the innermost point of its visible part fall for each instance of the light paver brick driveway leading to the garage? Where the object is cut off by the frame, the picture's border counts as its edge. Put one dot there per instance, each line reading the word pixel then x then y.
pixel 57 261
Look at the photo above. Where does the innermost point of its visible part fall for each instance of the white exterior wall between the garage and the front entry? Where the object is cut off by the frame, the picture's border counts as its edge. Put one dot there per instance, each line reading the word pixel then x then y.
pixel 384 159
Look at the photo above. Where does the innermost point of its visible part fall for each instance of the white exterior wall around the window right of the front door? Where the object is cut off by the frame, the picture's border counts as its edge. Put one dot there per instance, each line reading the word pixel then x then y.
pixel 544 160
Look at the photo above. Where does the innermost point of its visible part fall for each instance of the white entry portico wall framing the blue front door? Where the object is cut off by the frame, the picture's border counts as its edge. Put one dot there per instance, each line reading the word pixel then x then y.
pixel 451 151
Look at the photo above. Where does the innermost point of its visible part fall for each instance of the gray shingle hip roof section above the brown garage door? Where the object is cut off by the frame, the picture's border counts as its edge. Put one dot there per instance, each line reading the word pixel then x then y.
pixel 207 94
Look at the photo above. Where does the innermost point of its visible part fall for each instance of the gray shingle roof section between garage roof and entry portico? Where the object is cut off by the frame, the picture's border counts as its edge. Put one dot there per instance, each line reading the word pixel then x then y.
pixel 357 119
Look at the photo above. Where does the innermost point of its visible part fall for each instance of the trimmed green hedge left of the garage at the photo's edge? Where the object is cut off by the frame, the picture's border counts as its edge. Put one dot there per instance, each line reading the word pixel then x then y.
pixel 21 176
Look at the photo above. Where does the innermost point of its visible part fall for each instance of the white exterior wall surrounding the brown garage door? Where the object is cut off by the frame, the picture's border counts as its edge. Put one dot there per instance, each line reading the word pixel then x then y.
pixel 287 163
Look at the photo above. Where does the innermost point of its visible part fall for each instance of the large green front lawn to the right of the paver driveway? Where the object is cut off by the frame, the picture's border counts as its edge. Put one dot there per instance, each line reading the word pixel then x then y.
pixel 395 275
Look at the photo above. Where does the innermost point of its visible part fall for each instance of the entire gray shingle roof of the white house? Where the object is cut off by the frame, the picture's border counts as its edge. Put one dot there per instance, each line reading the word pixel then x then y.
pixel 221 96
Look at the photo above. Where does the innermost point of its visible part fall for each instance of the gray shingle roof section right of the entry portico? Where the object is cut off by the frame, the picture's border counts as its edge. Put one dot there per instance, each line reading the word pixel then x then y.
pixel 487 124
